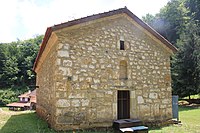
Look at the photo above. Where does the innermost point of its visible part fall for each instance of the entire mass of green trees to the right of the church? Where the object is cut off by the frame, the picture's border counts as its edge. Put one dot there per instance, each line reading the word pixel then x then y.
pixel 179 22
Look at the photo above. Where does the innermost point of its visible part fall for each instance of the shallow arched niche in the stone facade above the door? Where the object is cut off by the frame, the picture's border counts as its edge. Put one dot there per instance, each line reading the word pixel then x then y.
pixel 123 70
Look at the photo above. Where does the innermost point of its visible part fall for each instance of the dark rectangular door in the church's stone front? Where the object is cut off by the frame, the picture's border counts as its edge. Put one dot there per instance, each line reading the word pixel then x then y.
pixel 123 104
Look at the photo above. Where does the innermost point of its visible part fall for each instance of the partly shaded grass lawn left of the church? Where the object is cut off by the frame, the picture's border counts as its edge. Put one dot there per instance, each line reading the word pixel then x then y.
pixel 22 122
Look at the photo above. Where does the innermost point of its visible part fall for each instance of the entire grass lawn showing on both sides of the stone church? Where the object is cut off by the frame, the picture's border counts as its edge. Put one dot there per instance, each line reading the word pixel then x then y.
pixel 28 122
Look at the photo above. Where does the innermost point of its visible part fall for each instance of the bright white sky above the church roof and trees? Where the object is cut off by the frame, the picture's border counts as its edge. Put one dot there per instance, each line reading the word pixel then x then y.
pixel 24 19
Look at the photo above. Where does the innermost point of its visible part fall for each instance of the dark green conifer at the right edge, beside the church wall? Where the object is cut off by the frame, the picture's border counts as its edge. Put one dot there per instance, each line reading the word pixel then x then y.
pixel 186 70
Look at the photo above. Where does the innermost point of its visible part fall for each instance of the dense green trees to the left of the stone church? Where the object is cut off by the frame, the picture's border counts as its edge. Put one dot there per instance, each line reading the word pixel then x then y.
pixel 16 62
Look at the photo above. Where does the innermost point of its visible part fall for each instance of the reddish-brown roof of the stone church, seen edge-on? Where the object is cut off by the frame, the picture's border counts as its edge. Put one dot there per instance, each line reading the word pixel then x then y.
pixel 98 16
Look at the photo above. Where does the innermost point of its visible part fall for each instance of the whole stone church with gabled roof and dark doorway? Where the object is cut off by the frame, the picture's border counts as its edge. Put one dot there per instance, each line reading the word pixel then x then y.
pixel 100 68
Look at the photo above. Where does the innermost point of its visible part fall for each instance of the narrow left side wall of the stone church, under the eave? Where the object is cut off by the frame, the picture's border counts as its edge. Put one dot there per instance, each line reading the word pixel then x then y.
pixel 46 80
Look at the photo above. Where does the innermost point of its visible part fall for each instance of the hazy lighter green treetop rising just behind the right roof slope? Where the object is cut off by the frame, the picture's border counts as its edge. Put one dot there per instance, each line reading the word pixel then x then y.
pixel 170 20
